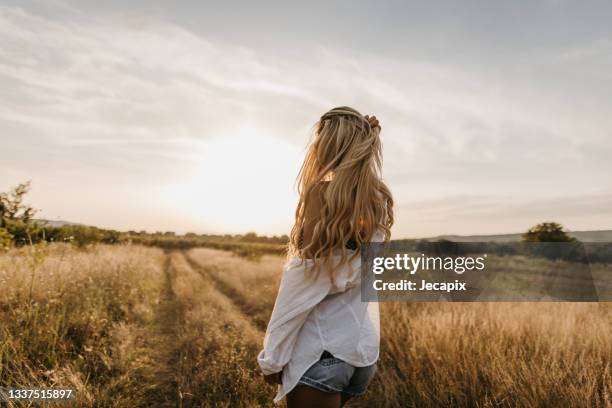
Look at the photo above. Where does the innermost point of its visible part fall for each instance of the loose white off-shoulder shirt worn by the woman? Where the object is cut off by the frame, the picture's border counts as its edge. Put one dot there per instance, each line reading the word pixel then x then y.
pixel 312 315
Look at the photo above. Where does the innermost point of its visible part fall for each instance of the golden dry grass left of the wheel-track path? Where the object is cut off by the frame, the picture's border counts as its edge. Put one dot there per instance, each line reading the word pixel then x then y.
pixel 72 318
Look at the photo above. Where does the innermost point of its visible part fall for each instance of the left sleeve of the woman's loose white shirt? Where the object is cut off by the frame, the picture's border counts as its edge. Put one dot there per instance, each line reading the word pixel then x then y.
pixel 297 296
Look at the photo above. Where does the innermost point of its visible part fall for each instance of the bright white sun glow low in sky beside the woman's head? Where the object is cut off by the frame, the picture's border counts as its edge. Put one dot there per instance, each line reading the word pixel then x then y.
pixel 240 183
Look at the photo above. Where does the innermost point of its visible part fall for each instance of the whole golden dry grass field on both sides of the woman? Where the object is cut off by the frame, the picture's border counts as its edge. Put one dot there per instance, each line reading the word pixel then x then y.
pixel 132 326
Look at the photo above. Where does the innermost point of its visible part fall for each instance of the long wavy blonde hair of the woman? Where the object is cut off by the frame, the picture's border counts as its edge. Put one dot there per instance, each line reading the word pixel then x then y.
pixel 346 154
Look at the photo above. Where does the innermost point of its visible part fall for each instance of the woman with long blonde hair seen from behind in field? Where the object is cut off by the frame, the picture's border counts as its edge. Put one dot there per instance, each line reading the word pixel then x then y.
pixel 322 341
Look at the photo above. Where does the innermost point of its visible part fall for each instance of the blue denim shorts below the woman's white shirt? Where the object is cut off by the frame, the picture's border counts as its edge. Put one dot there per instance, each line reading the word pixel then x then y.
pixel 330 374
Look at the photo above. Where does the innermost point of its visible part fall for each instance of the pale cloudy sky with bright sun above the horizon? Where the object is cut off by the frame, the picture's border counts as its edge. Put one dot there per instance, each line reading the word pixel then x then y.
pixel 194 116
